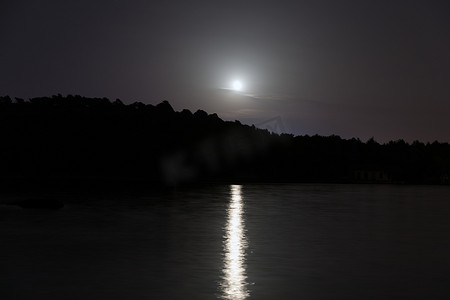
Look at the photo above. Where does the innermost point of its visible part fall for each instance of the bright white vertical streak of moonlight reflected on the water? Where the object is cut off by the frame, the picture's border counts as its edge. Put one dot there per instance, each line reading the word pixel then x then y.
pixel 234 284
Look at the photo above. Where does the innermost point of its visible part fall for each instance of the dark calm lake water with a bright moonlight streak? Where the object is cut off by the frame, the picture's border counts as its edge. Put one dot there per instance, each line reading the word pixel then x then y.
pixel 232 242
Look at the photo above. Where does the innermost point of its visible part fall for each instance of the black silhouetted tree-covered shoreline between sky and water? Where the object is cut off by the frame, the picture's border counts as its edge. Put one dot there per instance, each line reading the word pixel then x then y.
pixel 78 139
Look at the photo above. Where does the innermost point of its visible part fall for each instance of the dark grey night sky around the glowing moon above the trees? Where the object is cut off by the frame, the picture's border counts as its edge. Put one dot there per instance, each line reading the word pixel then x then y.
pixel 353 68
